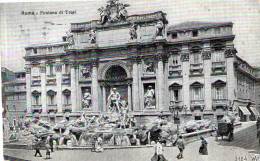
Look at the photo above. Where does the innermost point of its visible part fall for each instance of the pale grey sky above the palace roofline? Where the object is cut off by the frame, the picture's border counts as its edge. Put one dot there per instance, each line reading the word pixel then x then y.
pixel 18 31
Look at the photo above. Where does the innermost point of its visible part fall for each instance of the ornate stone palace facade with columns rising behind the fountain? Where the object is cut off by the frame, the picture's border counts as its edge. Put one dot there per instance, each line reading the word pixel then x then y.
pixel 141 62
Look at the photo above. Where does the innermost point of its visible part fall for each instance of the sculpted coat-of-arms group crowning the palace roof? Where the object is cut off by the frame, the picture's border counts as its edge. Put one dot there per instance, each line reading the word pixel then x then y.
pixel 113 12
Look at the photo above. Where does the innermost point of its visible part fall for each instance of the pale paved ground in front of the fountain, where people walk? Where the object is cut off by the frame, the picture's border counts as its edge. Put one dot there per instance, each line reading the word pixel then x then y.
pixel 241 147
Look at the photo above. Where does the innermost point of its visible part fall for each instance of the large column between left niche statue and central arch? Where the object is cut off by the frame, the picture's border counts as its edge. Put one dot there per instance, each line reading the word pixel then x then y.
pixel 94 86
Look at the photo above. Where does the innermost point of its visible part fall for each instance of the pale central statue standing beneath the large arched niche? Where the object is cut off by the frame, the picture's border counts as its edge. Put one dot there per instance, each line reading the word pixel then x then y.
pixel 114 100
